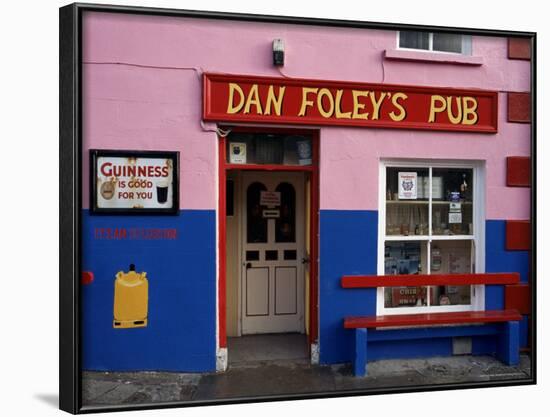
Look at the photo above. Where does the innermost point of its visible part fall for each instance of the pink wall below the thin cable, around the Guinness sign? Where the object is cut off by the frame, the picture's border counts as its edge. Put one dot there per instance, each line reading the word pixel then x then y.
pixel 127 107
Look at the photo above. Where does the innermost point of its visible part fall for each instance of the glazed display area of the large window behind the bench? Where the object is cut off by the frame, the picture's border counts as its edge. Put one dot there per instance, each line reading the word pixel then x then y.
pixel 429 229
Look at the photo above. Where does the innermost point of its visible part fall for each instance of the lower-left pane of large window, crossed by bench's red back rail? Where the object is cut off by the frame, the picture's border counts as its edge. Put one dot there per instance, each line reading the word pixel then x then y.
pixel 405 258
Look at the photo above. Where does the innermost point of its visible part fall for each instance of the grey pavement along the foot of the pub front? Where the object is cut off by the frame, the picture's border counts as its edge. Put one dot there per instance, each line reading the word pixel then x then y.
pixel 261 377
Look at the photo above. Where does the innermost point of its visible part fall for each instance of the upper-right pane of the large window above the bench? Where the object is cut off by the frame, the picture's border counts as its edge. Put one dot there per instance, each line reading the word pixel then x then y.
pixel 453 206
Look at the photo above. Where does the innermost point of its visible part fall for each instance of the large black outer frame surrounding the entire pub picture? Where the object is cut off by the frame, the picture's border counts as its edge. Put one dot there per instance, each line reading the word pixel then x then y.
pixel 70 203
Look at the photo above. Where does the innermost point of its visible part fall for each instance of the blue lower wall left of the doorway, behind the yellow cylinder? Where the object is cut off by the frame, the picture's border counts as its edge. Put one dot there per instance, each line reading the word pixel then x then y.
pixel 181 331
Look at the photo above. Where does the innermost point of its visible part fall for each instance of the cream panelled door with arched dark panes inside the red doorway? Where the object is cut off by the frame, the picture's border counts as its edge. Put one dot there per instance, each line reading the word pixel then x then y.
pixel 272 286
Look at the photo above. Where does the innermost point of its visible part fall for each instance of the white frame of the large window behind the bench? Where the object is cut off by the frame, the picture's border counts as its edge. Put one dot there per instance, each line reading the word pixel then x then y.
pixel 477 295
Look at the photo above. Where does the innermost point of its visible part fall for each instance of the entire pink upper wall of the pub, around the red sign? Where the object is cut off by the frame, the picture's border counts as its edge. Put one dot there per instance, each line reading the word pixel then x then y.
pixel 142 91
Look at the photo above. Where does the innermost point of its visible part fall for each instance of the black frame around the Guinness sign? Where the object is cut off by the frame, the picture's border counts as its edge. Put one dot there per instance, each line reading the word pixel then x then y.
pixel 172 155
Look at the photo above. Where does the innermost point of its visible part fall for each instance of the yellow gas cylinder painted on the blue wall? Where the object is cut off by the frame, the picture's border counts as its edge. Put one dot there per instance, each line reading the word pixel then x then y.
pixel 131 299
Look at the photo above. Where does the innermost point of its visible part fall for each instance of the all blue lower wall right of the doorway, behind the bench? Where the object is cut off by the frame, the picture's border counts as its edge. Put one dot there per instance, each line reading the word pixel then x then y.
pixel 348 245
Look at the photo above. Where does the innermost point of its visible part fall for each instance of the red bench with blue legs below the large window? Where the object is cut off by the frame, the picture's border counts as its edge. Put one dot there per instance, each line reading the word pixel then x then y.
pixel 504 323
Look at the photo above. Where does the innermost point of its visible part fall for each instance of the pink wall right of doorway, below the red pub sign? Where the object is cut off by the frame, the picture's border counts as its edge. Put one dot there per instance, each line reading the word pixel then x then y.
pixel 350 161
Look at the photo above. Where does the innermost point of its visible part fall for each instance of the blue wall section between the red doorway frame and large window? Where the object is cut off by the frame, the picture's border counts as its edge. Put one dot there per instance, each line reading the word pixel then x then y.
pixel 348 245
